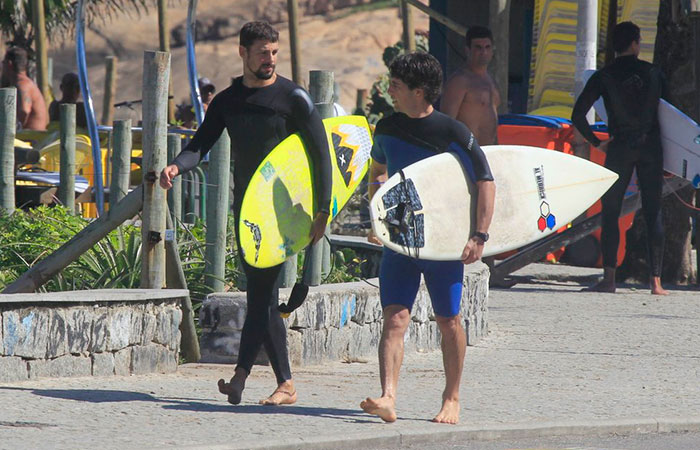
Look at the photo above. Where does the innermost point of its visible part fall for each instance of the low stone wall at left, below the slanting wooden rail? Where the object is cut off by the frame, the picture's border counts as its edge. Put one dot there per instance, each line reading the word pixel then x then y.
pixel 84 333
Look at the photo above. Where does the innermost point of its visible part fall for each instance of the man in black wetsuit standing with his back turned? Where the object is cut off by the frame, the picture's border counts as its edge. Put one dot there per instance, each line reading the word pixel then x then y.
pixel 631 90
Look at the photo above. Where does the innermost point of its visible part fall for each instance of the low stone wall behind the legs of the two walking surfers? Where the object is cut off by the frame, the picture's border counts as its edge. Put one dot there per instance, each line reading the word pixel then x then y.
pixel 340 321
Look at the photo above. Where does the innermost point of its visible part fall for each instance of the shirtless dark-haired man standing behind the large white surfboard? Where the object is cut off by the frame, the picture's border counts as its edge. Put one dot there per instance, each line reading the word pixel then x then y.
pixel 471 95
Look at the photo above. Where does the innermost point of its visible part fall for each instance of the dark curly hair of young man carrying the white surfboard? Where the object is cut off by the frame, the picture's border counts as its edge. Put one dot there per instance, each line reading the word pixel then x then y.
pixel 419 70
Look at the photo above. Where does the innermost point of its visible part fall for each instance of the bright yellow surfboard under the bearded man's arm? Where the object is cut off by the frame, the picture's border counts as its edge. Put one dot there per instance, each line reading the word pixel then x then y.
pixel 277 208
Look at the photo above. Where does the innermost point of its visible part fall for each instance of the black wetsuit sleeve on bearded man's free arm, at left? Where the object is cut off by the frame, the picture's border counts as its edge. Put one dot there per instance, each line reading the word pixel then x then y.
pixel 203 140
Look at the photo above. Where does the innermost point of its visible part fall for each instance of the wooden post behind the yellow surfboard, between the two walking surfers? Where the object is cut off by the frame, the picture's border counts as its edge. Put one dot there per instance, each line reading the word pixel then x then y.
pixel 321 91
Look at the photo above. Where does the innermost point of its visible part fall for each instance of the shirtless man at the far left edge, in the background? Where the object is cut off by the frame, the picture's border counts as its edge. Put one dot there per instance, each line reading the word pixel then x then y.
pixel 31 108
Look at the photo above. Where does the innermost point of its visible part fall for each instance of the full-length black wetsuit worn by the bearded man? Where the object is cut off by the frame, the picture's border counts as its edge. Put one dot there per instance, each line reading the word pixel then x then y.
pixel 257 119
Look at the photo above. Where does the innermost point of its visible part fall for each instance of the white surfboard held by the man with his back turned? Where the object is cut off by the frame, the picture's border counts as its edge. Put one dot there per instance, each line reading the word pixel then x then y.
pixel 680 138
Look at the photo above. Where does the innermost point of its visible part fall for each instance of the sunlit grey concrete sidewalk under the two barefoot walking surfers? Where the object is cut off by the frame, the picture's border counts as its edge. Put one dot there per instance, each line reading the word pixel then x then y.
pixel 556 361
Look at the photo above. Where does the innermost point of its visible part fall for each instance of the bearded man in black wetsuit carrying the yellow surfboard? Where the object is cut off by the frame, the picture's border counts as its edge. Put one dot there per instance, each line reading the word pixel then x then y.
pixel 259 110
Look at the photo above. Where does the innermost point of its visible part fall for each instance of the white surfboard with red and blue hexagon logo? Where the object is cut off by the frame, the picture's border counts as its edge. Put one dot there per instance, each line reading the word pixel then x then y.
pixel 431 213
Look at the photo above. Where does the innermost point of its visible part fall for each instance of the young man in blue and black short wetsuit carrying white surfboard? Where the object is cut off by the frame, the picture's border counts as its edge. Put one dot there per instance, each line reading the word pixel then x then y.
pixel 415 132
